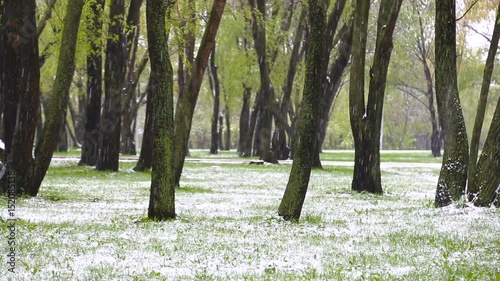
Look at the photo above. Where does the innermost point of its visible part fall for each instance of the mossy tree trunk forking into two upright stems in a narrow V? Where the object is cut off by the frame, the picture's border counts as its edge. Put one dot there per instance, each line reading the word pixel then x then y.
pixel 366 120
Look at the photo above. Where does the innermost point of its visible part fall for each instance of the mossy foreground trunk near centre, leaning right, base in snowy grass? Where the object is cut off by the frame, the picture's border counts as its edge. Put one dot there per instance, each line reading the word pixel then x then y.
pixel 308 123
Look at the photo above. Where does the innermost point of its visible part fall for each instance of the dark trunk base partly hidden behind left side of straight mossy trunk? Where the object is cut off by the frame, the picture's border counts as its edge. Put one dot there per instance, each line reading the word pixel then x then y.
pixel 146 157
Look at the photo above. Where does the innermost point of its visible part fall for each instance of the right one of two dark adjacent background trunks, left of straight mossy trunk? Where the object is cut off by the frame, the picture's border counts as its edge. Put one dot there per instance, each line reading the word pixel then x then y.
pixel 114 79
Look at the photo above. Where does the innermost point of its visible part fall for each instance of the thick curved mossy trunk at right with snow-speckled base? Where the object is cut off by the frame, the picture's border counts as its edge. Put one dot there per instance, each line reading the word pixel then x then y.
pixel 453 175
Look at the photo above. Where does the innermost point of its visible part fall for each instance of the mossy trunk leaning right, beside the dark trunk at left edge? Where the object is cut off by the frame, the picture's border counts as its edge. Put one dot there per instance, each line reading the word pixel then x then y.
pixel 60 95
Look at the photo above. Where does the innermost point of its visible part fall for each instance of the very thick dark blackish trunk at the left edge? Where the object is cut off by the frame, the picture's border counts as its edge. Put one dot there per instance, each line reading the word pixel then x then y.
pixel 21 88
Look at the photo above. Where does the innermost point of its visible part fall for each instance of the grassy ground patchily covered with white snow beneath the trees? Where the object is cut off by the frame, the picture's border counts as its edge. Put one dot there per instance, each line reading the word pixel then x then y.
pixel 88 225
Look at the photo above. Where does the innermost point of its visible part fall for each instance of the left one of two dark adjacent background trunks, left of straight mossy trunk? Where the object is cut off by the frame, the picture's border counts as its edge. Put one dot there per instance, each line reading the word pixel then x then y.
pixel 90 144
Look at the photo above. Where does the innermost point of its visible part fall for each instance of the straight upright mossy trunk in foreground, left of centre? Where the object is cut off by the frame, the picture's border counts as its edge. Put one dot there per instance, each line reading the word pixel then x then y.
pixel 162 196
